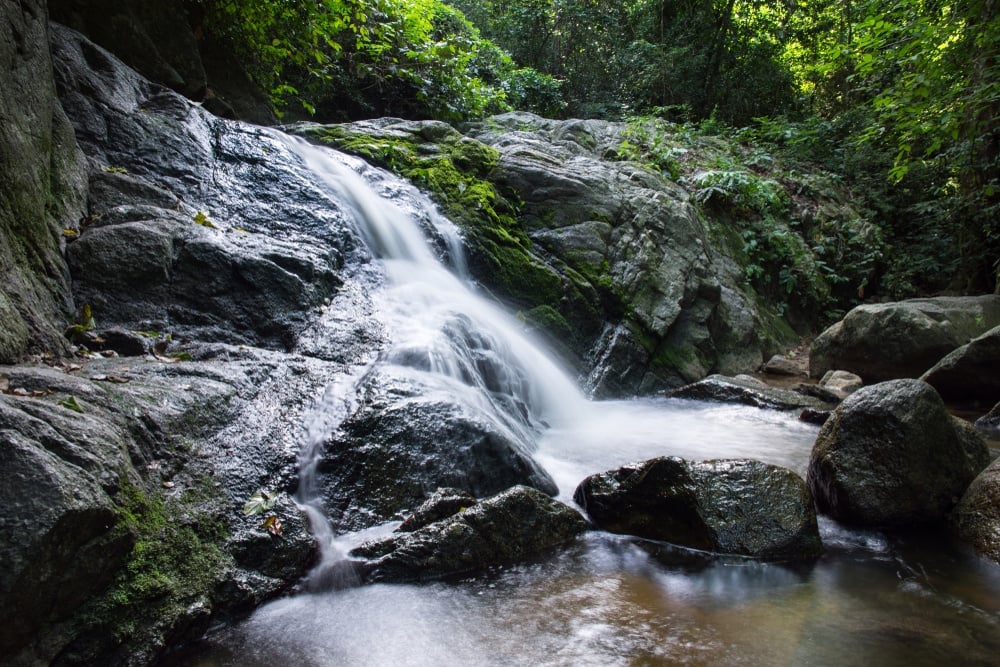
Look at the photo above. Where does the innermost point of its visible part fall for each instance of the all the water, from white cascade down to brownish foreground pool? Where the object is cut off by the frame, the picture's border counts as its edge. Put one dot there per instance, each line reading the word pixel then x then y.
pixel 606 600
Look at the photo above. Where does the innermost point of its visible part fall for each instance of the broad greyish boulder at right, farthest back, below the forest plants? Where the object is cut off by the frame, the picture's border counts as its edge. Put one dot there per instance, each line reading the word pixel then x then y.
pixel 902 339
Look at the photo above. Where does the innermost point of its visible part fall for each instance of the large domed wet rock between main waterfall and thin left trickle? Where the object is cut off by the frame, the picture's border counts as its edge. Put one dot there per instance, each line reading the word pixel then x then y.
pixel 412 433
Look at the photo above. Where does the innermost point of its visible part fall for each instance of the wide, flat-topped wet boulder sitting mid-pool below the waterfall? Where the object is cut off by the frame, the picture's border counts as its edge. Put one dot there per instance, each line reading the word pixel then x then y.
pixel 740 507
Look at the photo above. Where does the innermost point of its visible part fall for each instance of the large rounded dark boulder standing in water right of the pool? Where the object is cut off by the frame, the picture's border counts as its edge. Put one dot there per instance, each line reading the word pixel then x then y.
pixel 891 455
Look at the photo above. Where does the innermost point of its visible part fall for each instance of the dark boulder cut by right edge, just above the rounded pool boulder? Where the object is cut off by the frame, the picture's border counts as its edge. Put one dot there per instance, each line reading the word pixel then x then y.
pixel 971 373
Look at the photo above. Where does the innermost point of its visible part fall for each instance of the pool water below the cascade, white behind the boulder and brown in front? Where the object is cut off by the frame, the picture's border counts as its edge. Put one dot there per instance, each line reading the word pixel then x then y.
pixel 872 599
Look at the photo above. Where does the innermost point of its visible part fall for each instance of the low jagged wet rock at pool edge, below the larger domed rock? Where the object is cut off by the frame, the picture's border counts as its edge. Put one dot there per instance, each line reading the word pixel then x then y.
pixel 513 526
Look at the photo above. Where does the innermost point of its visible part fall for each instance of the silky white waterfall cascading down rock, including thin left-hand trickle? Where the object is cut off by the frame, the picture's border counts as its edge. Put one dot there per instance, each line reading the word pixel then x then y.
pixel 439 325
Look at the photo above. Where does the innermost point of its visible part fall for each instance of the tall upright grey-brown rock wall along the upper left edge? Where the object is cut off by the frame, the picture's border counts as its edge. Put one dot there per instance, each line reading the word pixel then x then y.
pixel 43 187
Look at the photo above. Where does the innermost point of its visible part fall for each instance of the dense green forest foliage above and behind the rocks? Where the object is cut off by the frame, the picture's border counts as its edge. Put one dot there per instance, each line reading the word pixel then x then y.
pixel 899 99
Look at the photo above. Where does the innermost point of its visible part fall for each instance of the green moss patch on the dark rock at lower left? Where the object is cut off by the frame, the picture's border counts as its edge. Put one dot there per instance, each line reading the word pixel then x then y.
pixel 173 564
